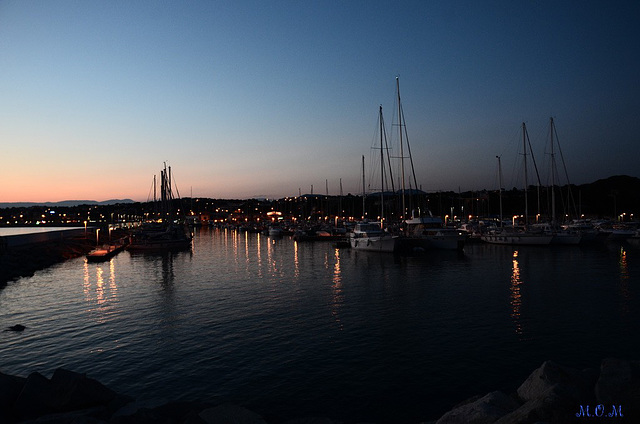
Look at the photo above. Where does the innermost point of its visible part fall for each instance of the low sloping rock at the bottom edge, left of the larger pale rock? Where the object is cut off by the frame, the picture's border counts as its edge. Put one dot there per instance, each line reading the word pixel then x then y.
pixel 487 409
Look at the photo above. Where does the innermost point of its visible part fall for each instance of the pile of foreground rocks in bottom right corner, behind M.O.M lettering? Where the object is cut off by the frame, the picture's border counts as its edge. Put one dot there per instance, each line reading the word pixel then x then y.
pixel 556 394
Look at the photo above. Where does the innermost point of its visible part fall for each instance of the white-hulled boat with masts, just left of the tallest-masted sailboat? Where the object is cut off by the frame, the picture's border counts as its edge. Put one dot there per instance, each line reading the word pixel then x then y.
pixel 371 236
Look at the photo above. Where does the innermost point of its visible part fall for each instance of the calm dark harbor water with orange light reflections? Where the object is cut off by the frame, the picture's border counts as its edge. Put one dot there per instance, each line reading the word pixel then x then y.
pixel 300 329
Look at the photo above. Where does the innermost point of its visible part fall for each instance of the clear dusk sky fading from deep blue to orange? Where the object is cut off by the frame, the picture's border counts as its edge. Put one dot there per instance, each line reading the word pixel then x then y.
pixel 268 98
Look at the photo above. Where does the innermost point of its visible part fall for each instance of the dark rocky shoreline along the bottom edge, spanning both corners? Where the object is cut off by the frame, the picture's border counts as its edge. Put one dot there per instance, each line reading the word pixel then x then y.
pixel 552 394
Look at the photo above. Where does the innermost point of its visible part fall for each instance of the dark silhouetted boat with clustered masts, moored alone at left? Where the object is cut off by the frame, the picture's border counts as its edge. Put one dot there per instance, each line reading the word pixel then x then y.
pixel 163 234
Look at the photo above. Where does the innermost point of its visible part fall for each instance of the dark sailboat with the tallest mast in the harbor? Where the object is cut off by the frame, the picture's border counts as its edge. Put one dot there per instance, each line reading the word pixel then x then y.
pixel 425 230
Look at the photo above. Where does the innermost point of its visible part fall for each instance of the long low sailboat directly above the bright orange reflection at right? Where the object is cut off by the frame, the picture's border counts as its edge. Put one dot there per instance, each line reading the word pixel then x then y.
pixel 512 235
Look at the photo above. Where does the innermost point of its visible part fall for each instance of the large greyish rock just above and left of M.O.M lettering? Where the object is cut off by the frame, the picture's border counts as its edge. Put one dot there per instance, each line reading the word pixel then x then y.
pixel 576 384
